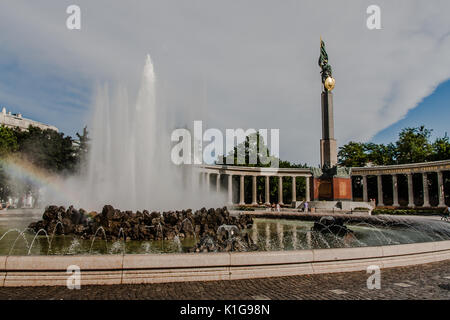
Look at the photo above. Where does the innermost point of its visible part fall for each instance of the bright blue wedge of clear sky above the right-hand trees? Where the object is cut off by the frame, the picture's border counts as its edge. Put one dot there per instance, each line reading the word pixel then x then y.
pixel 433 112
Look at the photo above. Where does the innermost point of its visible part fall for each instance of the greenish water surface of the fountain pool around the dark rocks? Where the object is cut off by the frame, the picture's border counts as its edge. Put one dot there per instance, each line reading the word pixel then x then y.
pixel 268 234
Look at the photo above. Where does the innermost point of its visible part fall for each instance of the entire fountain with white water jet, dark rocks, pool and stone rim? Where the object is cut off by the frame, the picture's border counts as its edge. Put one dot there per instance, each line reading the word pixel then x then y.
pixel 129 168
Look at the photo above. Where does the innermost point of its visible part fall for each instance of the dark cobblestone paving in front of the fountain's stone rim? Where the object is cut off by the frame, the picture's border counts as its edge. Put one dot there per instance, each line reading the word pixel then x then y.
pixel 428 281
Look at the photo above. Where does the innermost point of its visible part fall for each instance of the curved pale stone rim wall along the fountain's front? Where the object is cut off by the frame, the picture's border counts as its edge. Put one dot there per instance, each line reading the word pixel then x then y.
pixel 157 268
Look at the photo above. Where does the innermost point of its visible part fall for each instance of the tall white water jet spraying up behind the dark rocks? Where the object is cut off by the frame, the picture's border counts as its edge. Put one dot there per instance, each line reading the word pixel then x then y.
pixel 129 164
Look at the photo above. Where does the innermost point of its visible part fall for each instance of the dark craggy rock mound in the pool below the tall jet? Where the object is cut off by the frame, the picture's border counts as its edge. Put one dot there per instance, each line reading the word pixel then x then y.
pixel 203 224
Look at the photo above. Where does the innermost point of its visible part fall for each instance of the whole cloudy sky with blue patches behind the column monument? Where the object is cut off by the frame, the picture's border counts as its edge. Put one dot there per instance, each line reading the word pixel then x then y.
pixel 234 64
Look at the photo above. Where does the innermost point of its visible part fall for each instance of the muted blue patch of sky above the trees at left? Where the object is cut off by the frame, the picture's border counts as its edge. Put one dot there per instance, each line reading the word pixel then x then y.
pixel 47 97
